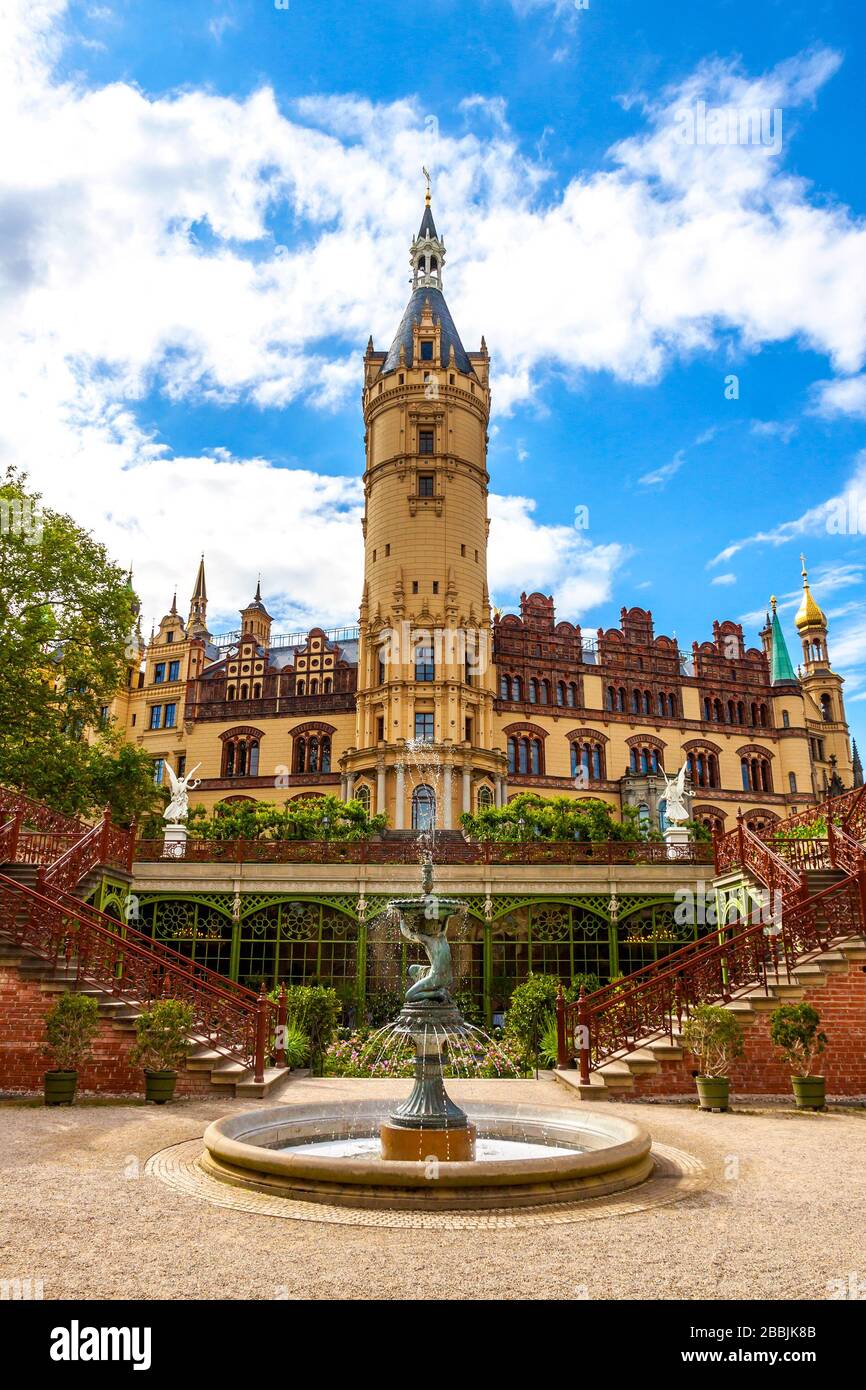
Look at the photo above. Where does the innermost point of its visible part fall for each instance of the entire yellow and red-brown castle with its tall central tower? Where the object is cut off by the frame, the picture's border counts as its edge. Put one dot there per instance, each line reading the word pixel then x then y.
pixel 512 703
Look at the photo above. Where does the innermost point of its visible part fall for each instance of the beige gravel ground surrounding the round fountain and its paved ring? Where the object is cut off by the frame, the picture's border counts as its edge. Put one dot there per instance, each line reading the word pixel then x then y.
pixel 785 1214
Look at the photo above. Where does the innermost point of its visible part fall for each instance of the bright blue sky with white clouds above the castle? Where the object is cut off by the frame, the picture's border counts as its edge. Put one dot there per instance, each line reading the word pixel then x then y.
pixel 208 211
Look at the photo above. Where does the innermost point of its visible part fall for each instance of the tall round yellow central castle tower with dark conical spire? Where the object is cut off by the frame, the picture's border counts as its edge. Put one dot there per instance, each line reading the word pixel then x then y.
pixel 425 657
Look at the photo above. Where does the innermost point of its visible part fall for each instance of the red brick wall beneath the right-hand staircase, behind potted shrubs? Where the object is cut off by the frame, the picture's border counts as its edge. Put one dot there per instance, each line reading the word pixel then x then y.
pixel 842 1003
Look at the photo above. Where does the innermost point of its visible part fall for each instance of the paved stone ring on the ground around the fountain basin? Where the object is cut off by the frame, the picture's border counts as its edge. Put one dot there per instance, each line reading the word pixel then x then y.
pixel 676 1175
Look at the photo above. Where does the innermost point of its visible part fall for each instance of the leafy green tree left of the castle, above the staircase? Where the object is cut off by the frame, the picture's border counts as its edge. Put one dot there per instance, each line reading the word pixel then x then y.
pixel 66 616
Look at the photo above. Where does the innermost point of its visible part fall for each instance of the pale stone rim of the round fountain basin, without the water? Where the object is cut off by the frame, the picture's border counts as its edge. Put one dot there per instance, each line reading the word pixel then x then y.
pixel 240 1143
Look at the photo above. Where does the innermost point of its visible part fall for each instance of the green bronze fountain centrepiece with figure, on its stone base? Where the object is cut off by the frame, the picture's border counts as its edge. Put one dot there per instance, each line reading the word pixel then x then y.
pixel 429 1124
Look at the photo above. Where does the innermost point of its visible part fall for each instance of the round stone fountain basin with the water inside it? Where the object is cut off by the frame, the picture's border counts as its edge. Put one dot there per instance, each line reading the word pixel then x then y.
pixel 526 1157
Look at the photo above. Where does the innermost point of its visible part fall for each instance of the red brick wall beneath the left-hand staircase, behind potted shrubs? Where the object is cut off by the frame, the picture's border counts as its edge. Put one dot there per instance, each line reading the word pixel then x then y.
pixel 23 1061
